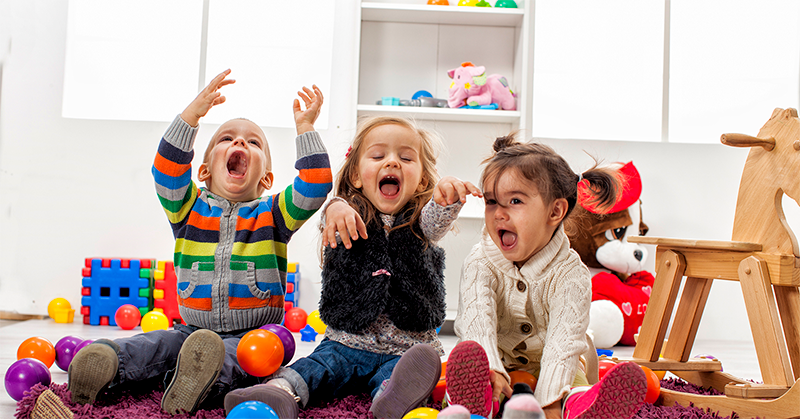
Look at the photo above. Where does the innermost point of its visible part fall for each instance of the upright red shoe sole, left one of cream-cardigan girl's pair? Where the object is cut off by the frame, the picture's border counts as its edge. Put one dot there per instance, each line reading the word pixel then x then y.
pixel 467 378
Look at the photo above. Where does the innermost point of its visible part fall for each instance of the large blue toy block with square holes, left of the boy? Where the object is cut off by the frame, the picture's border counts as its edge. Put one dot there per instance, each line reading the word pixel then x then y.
pixel 111 287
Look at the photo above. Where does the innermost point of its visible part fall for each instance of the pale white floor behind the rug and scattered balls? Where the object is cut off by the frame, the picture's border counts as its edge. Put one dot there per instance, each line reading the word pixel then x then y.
pixel 738 358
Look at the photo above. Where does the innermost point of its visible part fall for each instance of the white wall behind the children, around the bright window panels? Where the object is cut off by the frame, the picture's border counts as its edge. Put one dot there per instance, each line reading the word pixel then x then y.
pixel 71 189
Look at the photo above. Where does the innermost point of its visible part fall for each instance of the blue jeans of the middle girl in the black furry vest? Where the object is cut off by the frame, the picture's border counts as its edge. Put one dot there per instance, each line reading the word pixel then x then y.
pixel 335 370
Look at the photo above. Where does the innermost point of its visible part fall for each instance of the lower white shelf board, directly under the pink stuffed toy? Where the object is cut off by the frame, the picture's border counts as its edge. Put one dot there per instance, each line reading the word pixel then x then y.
pixel 442 114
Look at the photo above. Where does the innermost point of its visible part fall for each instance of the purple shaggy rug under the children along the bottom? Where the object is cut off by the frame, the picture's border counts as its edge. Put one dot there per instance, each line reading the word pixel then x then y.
pixel 148 406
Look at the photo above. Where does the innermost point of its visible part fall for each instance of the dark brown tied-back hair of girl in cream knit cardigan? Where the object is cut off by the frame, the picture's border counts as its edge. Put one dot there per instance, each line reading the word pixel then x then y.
pixel 550 173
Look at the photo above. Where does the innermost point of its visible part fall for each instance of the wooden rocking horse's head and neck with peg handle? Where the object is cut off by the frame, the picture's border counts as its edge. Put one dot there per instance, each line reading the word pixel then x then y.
pixel 771 170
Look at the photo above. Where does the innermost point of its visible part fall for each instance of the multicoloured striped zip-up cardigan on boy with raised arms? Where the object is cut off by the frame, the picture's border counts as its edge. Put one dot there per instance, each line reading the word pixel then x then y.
pixel 230 257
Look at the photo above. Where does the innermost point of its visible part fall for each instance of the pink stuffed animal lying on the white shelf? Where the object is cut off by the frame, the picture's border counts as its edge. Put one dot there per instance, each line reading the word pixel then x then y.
pixel 472 87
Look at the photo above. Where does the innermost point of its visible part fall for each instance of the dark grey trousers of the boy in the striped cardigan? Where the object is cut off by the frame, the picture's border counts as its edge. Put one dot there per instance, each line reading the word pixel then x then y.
pixel 154 354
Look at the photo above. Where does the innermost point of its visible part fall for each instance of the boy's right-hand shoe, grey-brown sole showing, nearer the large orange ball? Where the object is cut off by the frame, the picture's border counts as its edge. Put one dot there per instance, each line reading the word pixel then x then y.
pixel 199 364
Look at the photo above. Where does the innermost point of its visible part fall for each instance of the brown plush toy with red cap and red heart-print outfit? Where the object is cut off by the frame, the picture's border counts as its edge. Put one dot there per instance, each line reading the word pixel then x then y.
pixel 620 285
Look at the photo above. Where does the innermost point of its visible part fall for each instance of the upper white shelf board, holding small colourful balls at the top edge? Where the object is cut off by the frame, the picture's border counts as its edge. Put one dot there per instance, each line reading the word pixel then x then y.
pixel 446 15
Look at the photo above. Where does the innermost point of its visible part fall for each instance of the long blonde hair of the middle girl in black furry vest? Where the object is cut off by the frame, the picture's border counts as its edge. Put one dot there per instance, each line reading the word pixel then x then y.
pixel 430 146
